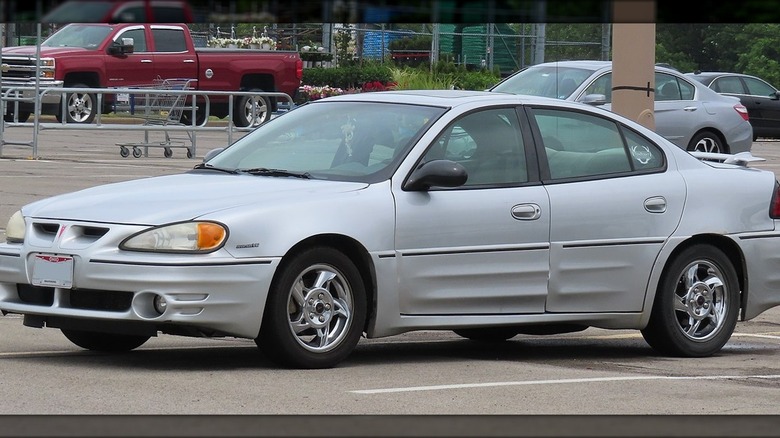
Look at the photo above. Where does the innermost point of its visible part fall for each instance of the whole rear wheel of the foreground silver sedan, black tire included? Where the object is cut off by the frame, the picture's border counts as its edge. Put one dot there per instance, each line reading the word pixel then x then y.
pixel 696 305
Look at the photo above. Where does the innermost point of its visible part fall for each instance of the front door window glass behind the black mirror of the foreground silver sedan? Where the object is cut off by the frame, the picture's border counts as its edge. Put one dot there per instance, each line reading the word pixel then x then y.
pixel 488 144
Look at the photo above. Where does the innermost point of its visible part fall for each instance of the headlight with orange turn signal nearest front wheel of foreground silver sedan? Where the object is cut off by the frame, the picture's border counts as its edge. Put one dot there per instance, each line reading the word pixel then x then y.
pixel 185 237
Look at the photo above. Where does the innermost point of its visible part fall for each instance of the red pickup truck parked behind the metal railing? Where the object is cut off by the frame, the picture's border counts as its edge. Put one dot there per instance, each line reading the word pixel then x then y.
pixel 104 55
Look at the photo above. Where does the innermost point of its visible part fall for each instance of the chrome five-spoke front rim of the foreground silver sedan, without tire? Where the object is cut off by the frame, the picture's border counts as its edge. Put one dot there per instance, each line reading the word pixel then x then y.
pixel 320 308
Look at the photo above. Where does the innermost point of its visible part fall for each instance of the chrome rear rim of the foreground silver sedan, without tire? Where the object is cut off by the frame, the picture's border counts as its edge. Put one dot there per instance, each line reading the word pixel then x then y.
pixel 702 301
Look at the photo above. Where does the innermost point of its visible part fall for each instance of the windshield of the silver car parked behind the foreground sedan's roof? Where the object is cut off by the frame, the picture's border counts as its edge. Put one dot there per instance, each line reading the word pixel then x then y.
pixel 547 81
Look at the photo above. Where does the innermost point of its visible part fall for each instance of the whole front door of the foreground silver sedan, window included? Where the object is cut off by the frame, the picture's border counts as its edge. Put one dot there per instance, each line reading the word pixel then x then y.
pixel 480 248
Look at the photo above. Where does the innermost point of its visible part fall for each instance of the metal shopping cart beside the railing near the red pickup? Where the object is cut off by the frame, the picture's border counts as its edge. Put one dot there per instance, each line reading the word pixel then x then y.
pixel 158 108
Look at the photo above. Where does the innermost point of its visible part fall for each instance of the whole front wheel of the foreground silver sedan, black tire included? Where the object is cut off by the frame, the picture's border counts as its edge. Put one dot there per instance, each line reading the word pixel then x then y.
pixel 316 310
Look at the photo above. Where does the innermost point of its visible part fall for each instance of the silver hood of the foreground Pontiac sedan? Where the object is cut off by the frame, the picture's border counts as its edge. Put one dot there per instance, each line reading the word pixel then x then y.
pixel 164 199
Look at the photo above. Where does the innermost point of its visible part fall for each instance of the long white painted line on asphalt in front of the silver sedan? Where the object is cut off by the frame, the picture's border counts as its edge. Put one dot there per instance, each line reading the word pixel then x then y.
pixel 557 382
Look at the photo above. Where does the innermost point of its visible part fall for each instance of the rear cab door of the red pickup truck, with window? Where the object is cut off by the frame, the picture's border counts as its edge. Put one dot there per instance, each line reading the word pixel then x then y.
pixel 173 57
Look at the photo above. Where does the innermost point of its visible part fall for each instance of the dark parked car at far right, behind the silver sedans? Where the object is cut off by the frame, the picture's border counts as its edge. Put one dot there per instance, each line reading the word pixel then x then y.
pixel 761 98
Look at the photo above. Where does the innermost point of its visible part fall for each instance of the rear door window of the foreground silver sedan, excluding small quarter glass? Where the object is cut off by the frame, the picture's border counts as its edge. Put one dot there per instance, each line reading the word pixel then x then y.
pixel 580 145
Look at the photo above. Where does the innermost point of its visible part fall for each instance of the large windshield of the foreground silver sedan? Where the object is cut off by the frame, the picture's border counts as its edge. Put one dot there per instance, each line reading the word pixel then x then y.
pixel 338 140
